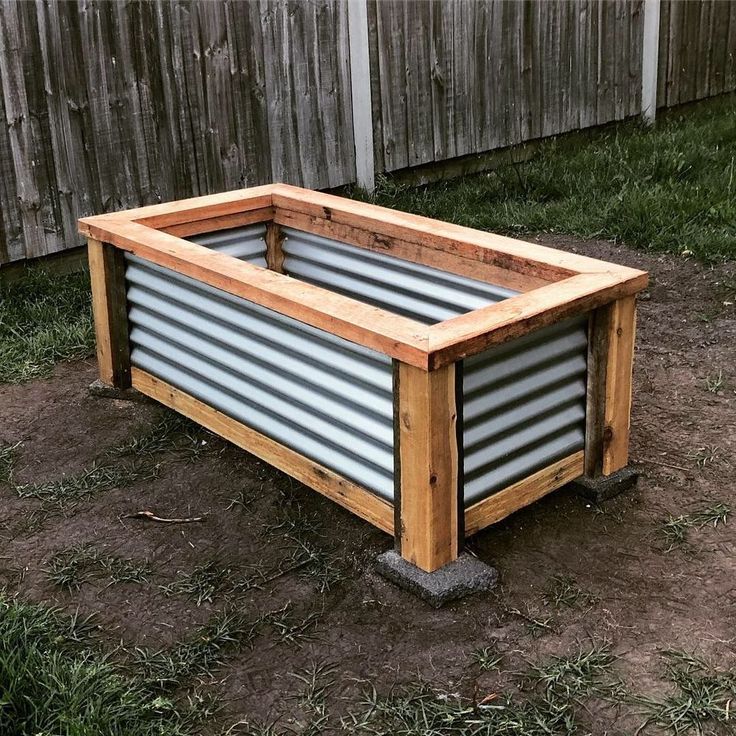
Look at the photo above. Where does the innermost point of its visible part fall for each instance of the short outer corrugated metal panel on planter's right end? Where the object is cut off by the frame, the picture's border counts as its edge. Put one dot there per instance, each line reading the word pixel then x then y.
pixel 524 407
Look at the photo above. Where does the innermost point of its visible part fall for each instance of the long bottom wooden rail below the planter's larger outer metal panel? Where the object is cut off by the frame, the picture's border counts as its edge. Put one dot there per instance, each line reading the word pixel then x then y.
pixel 349 495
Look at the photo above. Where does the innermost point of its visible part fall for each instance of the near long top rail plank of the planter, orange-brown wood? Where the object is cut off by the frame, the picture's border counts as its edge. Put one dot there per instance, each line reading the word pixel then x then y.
pixel 391 334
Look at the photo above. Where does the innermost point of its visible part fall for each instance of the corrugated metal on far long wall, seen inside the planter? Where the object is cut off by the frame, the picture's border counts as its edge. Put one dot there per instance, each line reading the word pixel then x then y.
pixel 420 292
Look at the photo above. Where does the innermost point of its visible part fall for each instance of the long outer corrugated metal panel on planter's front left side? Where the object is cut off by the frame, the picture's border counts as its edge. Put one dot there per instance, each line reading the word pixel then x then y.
pixel 313 392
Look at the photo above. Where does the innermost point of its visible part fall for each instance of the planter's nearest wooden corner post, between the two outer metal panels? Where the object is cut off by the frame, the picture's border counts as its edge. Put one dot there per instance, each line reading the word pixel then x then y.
pixel 428 486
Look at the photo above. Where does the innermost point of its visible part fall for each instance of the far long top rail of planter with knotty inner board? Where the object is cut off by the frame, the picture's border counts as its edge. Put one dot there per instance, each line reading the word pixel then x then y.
pixel 532 259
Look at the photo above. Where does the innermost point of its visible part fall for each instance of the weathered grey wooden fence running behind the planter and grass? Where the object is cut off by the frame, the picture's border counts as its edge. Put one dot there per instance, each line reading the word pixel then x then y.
pixel 111 105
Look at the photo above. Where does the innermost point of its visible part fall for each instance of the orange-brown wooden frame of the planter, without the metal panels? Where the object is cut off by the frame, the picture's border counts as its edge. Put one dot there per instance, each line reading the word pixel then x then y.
pixel 554 285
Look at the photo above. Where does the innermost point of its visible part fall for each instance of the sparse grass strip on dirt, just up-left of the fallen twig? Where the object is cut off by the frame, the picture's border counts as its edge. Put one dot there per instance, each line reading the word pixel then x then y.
pixel 85 484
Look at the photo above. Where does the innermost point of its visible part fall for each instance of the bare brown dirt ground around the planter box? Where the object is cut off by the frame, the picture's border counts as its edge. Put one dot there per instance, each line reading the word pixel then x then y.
pixel 636 594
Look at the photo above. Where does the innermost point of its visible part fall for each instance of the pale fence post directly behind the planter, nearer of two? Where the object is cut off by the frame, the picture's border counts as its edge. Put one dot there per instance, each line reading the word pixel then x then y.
pixel 360 91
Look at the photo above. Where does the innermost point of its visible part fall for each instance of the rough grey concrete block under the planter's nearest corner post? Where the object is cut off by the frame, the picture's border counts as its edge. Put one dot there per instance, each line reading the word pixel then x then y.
pixel 459 578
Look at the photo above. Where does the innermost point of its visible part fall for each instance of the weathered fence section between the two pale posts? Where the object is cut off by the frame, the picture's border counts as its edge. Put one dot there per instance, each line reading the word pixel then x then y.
pixel 461 77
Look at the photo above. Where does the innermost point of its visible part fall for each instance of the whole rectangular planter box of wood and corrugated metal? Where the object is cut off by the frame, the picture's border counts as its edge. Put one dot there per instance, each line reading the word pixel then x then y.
pixel 428 377
